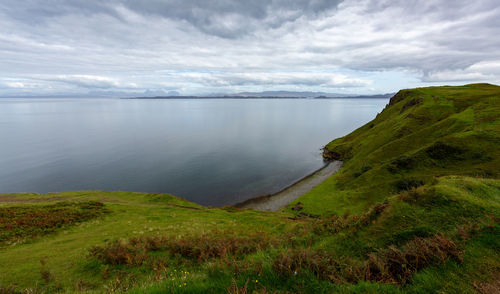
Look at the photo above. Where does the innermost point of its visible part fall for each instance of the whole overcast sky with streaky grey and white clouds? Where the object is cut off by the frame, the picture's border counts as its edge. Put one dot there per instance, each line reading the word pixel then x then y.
pixel 198 47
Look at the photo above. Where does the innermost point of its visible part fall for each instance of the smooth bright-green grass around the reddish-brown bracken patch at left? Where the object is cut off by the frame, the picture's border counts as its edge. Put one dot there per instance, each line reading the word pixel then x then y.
pixel 131 215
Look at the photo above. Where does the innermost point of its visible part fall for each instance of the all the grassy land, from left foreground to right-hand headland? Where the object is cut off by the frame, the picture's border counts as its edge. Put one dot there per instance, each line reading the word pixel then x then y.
pixel 414 209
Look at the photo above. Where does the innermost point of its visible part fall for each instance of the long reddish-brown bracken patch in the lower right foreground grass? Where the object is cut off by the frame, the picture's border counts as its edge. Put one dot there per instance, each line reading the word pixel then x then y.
pixel 390 265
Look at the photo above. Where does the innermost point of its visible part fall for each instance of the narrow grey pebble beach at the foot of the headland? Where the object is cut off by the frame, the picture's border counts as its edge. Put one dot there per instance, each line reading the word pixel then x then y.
pixel 275 201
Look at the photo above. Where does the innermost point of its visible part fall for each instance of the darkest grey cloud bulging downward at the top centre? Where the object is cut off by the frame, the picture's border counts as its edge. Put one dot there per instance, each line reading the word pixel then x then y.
pixel 230 19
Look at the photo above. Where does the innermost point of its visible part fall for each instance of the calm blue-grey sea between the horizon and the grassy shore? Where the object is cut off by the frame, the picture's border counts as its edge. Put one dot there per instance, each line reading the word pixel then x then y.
pixel 213 151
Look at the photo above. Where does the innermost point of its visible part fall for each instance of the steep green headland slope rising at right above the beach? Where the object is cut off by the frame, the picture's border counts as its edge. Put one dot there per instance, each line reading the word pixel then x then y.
pixel 422 134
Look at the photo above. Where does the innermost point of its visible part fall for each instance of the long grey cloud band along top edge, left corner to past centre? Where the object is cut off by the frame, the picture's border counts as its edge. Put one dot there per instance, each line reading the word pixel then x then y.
pixel 223 18
